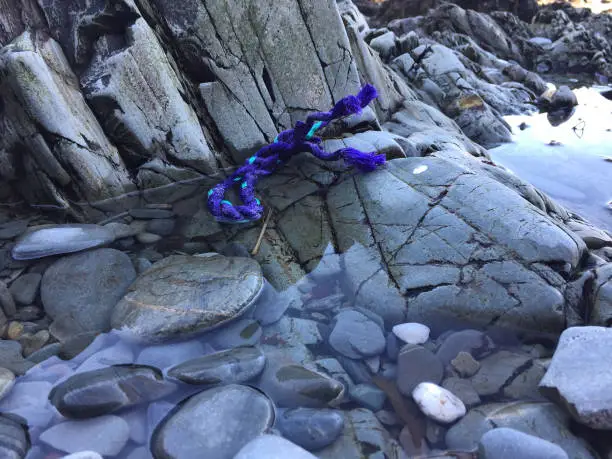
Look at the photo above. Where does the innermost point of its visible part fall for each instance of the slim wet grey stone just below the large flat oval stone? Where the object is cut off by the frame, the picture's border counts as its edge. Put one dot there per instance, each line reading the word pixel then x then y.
pixel 226 367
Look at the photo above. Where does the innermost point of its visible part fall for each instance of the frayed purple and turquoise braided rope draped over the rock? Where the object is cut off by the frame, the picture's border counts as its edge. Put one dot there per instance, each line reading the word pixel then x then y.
pixel 288 143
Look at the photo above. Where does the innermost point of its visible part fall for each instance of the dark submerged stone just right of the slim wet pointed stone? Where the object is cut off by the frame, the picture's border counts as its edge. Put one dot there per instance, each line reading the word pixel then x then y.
pixel 293 386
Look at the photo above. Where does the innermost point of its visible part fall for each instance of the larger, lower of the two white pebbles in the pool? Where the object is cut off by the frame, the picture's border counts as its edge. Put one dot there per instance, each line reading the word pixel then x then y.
pixel 438 403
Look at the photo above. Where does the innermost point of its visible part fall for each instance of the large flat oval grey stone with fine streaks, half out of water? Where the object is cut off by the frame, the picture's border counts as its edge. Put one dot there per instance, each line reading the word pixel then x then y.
pixel 182 295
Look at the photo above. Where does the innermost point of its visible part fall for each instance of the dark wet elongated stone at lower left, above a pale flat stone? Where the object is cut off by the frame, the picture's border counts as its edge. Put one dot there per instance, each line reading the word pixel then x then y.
pixel 94 393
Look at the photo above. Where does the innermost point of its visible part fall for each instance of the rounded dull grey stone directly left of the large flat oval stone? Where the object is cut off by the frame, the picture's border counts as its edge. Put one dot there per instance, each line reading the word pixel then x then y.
pixel 80 291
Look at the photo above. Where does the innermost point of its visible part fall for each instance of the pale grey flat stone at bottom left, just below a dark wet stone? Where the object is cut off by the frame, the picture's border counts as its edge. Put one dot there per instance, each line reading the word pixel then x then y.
pixel 107 435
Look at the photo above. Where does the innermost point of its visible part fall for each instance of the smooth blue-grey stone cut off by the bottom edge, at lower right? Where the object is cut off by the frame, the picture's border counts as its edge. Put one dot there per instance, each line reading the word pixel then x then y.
pixel 505 443
